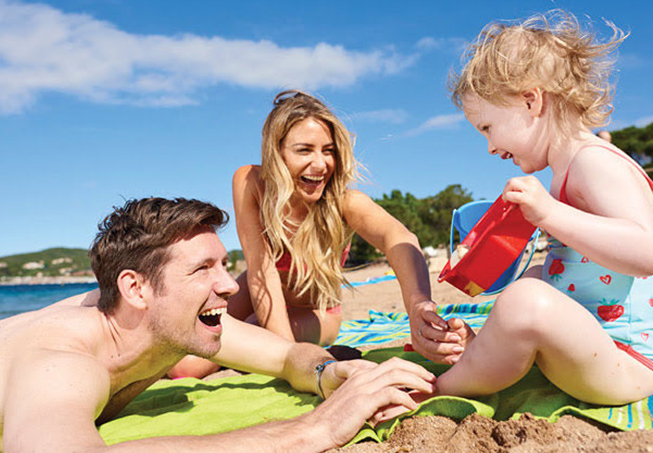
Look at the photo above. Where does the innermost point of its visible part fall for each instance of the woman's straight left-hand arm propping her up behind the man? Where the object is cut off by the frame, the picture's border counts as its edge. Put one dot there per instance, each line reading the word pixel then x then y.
pixel 263 278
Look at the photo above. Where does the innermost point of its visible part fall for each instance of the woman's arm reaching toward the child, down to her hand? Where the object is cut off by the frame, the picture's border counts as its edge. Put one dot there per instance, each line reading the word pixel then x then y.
pixel 404 254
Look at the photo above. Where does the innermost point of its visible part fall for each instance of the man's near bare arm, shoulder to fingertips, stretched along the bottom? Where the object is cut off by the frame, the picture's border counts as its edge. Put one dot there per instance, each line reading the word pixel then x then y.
pixel 53 398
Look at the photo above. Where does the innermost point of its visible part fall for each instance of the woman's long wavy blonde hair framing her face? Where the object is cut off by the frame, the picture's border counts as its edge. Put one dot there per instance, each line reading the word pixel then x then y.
pixel 317 243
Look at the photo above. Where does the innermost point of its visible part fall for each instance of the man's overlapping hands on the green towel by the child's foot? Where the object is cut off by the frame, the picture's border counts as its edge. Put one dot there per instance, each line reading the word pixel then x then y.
pixel 367 391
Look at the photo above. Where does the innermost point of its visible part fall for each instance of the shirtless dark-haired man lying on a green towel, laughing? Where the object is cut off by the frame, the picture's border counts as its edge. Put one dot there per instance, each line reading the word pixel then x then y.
pixel 163 293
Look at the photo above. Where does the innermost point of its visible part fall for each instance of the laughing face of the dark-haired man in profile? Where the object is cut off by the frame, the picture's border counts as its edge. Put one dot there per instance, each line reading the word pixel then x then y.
pixel 186 313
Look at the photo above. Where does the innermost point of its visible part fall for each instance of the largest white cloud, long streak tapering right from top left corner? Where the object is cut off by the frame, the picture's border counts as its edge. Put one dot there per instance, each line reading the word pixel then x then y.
pixel 43 49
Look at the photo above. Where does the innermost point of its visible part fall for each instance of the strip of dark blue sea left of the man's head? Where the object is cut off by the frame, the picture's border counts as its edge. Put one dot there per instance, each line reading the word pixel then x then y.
pixel 16 299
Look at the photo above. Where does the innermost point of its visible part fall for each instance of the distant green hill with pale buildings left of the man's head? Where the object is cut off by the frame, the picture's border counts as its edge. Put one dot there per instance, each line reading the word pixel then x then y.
pixel 55 262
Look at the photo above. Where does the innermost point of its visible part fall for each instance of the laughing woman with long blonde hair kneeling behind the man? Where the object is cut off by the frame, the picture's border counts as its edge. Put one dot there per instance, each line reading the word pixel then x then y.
pixel 296 214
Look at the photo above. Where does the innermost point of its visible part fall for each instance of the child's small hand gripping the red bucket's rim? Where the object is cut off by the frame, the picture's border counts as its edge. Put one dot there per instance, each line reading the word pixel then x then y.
pixel 533 199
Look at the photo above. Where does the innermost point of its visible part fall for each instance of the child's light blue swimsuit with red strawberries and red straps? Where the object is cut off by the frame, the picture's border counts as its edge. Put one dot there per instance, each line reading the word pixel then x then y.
pixel 622 304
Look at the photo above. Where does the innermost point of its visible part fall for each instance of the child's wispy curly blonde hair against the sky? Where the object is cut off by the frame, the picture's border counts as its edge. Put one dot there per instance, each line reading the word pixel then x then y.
pixel 550 51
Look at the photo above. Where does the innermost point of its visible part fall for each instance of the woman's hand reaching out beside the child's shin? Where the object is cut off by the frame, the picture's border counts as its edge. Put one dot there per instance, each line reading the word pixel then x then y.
pixel 435 338
